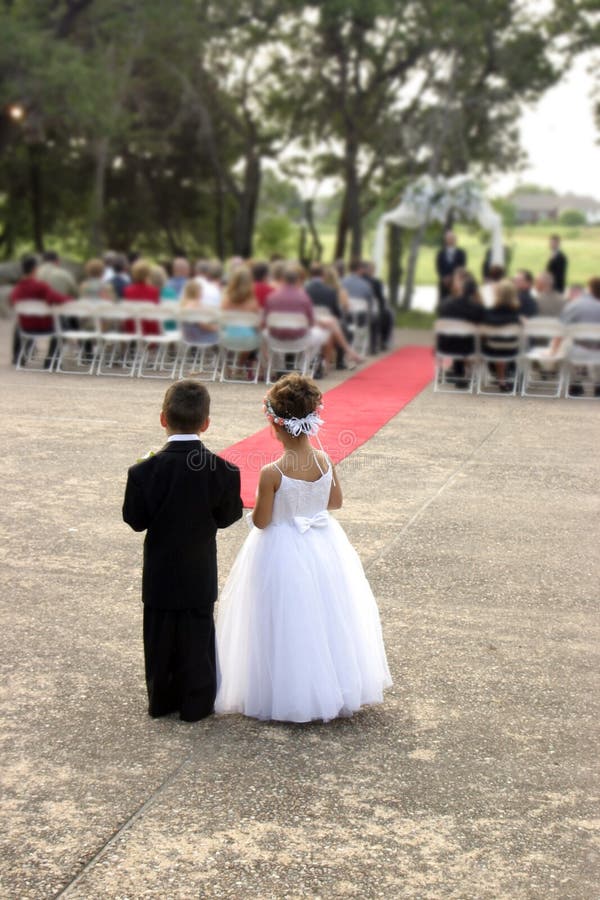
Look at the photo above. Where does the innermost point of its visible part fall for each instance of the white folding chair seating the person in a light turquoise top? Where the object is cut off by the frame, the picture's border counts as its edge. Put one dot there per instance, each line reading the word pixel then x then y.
pixel 239 336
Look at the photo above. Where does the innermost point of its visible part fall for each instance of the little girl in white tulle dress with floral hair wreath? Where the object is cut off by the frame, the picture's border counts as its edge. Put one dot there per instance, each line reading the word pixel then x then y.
pixel 298 631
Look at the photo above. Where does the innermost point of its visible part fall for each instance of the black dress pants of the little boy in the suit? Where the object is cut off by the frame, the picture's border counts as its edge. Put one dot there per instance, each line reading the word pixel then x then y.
pixel 180 659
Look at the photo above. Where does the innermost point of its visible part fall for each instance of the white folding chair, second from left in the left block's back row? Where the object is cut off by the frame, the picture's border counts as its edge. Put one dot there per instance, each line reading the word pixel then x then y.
pixel 77 334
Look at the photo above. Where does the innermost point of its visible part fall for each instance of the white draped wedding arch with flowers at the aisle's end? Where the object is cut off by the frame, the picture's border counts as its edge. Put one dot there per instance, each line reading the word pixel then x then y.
pixel 431 199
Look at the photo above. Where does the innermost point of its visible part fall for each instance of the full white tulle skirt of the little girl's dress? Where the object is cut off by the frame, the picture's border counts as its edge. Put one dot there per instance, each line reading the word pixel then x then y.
pixel 298 630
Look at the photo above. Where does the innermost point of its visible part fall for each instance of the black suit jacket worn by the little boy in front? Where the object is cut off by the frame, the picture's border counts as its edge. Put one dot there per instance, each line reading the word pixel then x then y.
pixel 181 496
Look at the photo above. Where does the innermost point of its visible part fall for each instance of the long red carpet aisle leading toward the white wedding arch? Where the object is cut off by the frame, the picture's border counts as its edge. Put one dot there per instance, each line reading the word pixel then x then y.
pixel 353 412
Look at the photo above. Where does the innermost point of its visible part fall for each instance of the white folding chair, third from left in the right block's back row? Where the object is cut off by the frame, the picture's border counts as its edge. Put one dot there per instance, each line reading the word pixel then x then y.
pixel 542 375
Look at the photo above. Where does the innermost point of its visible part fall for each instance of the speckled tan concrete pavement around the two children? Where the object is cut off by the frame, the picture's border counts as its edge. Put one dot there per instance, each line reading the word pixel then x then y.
pixel 477 522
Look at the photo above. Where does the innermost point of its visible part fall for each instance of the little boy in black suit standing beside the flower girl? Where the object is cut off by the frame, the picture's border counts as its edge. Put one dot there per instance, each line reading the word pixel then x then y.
pixel 181 496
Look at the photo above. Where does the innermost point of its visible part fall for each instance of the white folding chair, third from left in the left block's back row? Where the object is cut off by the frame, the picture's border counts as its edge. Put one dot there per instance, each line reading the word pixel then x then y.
pixel 118 347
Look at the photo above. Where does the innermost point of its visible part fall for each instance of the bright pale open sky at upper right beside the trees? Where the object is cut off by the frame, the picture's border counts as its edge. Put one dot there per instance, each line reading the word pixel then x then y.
pixel 561 139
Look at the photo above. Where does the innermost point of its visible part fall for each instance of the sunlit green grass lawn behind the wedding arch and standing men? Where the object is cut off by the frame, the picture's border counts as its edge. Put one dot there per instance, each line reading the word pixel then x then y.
pixel 529 246
